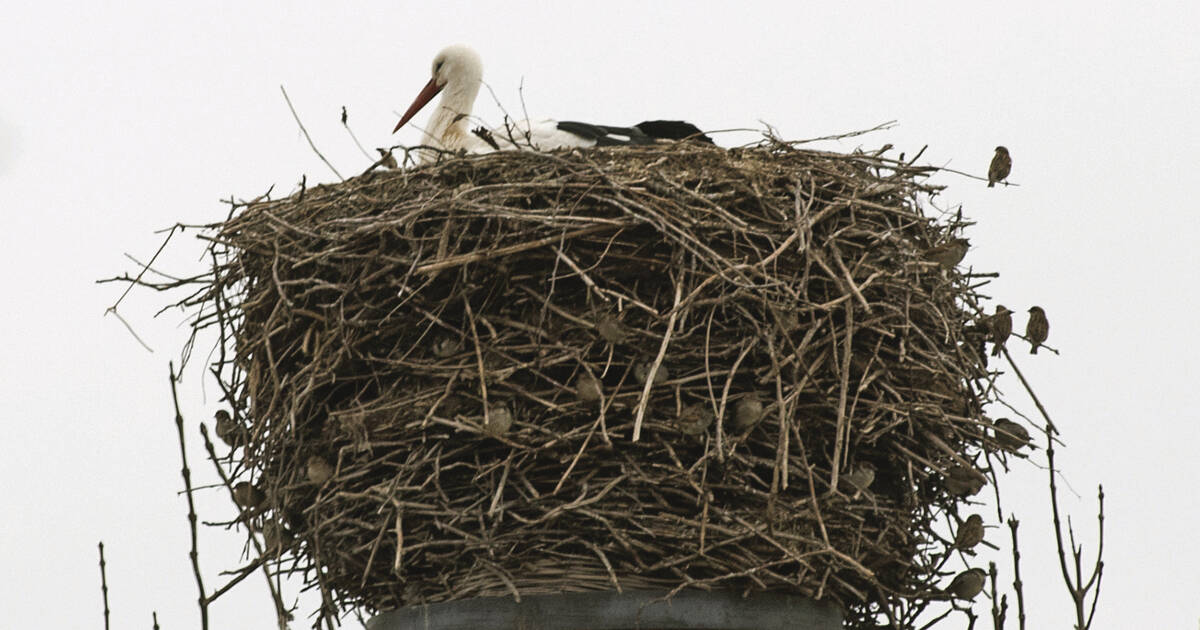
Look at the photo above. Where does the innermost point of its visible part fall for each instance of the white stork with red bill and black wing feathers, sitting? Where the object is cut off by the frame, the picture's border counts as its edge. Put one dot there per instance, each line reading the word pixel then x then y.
pixel 458 75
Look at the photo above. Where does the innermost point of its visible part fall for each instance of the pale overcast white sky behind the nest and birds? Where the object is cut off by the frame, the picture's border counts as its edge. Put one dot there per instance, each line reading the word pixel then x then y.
pixel 116 123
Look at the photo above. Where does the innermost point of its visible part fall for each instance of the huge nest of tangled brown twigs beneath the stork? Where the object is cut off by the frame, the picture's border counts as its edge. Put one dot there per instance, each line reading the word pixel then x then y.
pixel 671 367
